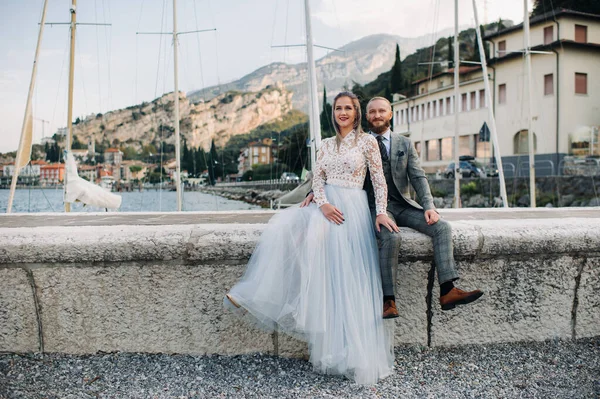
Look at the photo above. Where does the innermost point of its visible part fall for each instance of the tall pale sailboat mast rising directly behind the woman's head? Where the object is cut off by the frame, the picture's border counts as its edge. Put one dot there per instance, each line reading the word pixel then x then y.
pixel 313 105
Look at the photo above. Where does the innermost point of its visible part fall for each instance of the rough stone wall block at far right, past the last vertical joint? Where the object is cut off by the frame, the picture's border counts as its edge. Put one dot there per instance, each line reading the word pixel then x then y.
pixel 588 306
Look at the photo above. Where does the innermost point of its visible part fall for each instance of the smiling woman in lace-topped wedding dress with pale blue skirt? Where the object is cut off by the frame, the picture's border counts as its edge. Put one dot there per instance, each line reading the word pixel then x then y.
pixel 315 273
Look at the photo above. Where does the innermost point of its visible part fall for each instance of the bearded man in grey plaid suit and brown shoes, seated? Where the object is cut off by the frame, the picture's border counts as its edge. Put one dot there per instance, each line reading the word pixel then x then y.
pixel 401 164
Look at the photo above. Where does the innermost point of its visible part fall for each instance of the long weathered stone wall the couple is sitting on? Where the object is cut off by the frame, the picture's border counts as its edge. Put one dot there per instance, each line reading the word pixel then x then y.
pixel 158 288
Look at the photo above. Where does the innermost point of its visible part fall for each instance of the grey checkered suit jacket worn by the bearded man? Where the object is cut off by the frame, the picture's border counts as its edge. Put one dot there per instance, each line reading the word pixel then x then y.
pixel 406 169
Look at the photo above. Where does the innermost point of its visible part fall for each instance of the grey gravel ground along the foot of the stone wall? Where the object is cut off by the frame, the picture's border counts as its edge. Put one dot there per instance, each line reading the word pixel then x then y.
pixel 552 369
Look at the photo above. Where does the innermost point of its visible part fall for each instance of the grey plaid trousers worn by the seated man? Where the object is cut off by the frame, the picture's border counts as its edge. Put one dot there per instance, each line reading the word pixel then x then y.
pixel 389 245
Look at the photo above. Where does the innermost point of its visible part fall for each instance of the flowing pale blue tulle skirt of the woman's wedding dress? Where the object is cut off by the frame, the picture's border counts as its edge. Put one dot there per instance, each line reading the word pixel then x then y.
pixel 320 282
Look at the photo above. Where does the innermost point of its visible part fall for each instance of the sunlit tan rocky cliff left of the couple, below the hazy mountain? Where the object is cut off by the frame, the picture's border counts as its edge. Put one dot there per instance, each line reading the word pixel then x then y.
pixel 221 117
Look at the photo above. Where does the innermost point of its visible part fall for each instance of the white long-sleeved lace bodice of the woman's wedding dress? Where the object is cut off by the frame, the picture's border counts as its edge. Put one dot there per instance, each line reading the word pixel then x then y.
pixel 348 167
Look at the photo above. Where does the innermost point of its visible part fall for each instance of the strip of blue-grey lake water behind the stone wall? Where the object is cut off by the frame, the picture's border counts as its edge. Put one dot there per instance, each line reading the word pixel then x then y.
pixel 51 200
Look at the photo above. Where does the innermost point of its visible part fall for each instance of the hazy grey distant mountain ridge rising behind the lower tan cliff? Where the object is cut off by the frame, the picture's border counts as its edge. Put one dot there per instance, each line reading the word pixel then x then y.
pixel 360 61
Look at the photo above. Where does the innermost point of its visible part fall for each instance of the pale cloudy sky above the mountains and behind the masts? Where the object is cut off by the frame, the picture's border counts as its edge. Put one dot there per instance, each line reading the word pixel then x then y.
pixel 116 68
